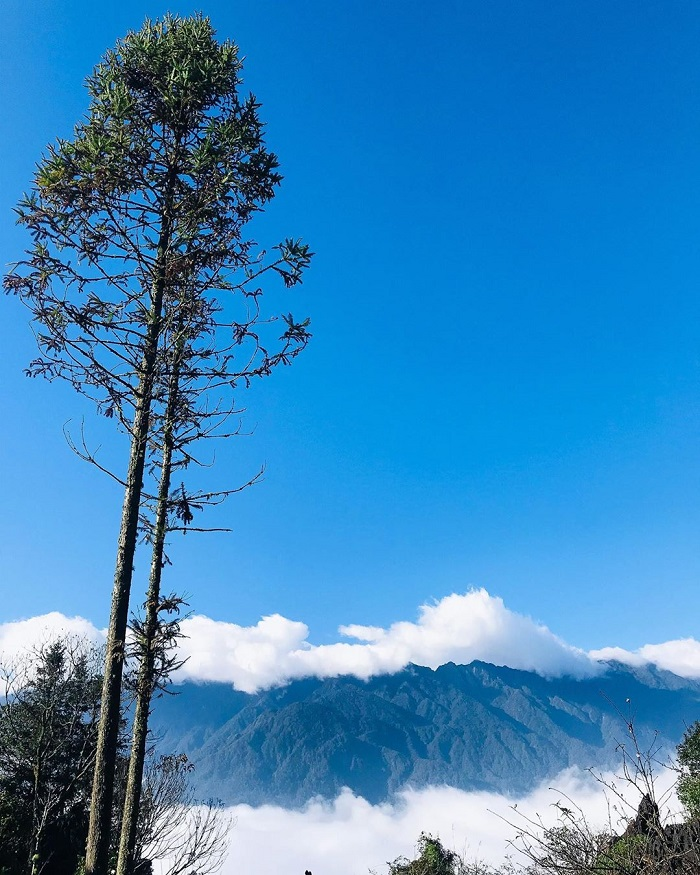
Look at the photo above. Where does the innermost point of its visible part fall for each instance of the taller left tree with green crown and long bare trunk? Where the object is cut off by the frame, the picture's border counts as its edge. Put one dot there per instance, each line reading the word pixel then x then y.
pixel 137 225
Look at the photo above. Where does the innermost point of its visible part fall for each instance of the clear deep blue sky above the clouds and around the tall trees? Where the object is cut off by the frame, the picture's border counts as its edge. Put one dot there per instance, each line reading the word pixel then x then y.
pixel 502 388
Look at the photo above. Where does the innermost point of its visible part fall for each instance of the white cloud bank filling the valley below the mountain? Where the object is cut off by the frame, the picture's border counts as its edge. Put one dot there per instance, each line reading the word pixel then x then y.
pixel 348 836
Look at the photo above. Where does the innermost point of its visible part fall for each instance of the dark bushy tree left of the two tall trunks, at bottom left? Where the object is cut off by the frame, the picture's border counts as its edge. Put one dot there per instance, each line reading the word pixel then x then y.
pixel 48 711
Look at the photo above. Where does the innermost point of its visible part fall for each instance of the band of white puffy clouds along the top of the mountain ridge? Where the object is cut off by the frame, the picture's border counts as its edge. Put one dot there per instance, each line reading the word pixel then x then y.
pixel 458 628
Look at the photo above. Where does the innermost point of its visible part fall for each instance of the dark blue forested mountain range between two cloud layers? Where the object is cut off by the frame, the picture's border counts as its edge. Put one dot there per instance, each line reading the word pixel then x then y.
pixel 474 727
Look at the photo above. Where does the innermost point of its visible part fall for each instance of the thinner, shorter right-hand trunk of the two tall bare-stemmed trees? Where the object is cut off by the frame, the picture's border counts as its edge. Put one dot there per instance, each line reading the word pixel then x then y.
pixel 146 674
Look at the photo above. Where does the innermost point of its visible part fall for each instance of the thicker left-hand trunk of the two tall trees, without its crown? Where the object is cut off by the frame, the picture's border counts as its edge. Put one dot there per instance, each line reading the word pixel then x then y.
pixel 98 841
